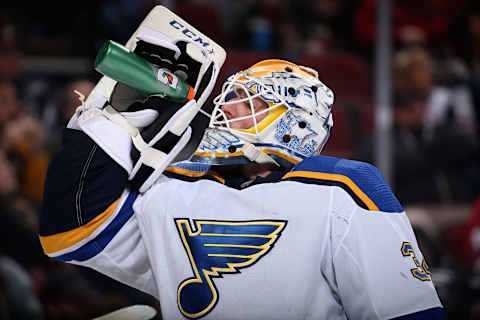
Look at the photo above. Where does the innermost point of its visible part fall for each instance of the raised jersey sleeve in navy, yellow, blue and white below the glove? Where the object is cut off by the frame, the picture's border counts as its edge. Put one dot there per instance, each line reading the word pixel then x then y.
pixel 87 216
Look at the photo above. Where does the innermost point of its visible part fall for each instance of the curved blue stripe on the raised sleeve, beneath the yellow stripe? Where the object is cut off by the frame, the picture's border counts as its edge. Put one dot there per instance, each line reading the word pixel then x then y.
pixel 96 245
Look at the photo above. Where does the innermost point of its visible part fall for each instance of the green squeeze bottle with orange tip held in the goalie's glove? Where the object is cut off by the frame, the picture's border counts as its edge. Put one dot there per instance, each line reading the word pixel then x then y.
pixel 117 62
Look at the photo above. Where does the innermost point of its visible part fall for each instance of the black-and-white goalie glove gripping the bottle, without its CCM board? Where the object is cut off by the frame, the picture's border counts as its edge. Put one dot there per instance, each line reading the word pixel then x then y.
pixel 152 131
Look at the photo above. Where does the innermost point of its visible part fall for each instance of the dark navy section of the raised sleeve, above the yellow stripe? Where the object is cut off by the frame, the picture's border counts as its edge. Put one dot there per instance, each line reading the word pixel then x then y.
pixel 82 182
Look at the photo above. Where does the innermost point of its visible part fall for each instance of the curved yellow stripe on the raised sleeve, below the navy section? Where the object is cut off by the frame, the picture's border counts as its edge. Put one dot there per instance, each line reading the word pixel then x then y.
pixel 60 241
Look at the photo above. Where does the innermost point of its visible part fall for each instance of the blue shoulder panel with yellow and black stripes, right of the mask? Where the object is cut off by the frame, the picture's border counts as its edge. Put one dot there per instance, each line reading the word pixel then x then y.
pixel 361 180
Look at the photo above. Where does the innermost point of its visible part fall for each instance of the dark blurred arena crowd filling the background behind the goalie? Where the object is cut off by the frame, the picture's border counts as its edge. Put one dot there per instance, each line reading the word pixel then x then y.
pixel 436 121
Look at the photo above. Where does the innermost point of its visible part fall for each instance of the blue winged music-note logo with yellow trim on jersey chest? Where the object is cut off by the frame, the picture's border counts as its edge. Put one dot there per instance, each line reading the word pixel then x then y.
pixel 218 247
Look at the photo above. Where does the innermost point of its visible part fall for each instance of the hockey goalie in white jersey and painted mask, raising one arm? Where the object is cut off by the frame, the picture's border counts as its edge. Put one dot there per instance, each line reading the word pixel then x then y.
pixel 256 224
